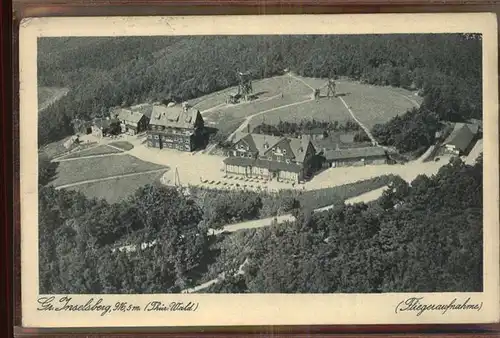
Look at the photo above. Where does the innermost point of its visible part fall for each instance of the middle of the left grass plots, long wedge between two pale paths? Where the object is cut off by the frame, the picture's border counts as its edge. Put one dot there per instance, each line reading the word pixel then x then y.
pixel 95 168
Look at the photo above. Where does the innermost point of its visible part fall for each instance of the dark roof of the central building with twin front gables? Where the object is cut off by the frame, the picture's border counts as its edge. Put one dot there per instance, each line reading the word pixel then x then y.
pixel 261 144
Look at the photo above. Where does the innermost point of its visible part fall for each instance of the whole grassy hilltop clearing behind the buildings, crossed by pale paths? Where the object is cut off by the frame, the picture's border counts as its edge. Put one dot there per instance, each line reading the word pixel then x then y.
pixel 370 104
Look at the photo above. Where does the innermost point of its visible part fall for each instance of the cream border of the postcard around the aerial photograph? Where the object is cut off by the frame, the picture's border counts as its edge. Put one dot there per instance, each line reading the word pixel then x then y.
pixel 258 309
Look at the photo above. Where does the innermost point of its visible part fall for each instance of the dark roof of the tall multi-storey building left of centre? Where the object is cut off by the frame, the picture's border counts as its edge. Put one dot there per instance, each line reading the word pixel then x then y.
pixel 174 116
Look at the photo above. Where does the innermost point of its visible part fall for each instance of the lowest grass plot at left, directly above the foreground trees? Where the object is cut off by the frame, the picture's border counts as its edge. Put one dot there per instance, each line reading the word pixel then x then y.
pixel 117 189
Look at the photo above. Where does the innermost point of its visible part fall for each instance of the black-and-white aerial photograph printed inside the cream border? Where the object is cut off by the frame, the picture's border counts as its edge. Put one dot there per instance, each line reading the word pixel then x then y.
pixel 305 163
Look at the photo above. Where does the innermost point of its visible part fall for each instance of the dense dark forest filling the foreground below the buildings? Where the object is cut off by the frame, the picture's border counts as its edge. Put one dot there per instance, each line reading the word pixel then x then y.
pixel 433 225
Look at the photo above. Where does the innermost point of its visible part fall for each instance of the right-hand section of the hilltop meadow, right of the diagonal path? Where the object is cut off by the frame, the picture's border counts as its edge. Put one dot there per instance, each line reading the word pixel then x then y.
pixel 372 104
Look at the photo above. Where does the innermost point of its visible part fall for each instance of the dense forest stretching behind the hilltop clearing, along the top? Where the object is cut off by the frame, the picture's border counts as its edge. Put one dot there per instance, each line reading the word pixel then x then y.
pixel 106 72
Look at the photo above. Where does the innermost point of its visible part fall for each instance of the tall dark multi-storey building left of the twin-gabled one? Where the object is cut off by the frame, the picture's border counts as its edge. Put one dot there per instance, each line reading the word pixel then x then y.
pixel 174 126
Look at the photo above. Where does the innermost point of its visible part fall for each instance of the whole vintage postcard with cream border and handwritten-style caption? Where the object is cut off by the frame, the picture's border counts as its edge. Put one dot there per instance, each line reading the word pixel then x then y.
pixel 259 170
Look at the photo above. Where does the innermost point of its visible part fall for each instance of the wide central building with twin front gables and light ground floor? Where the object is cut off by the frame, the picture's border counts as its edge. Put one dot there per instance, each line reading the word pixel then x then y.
pixel 271 157
